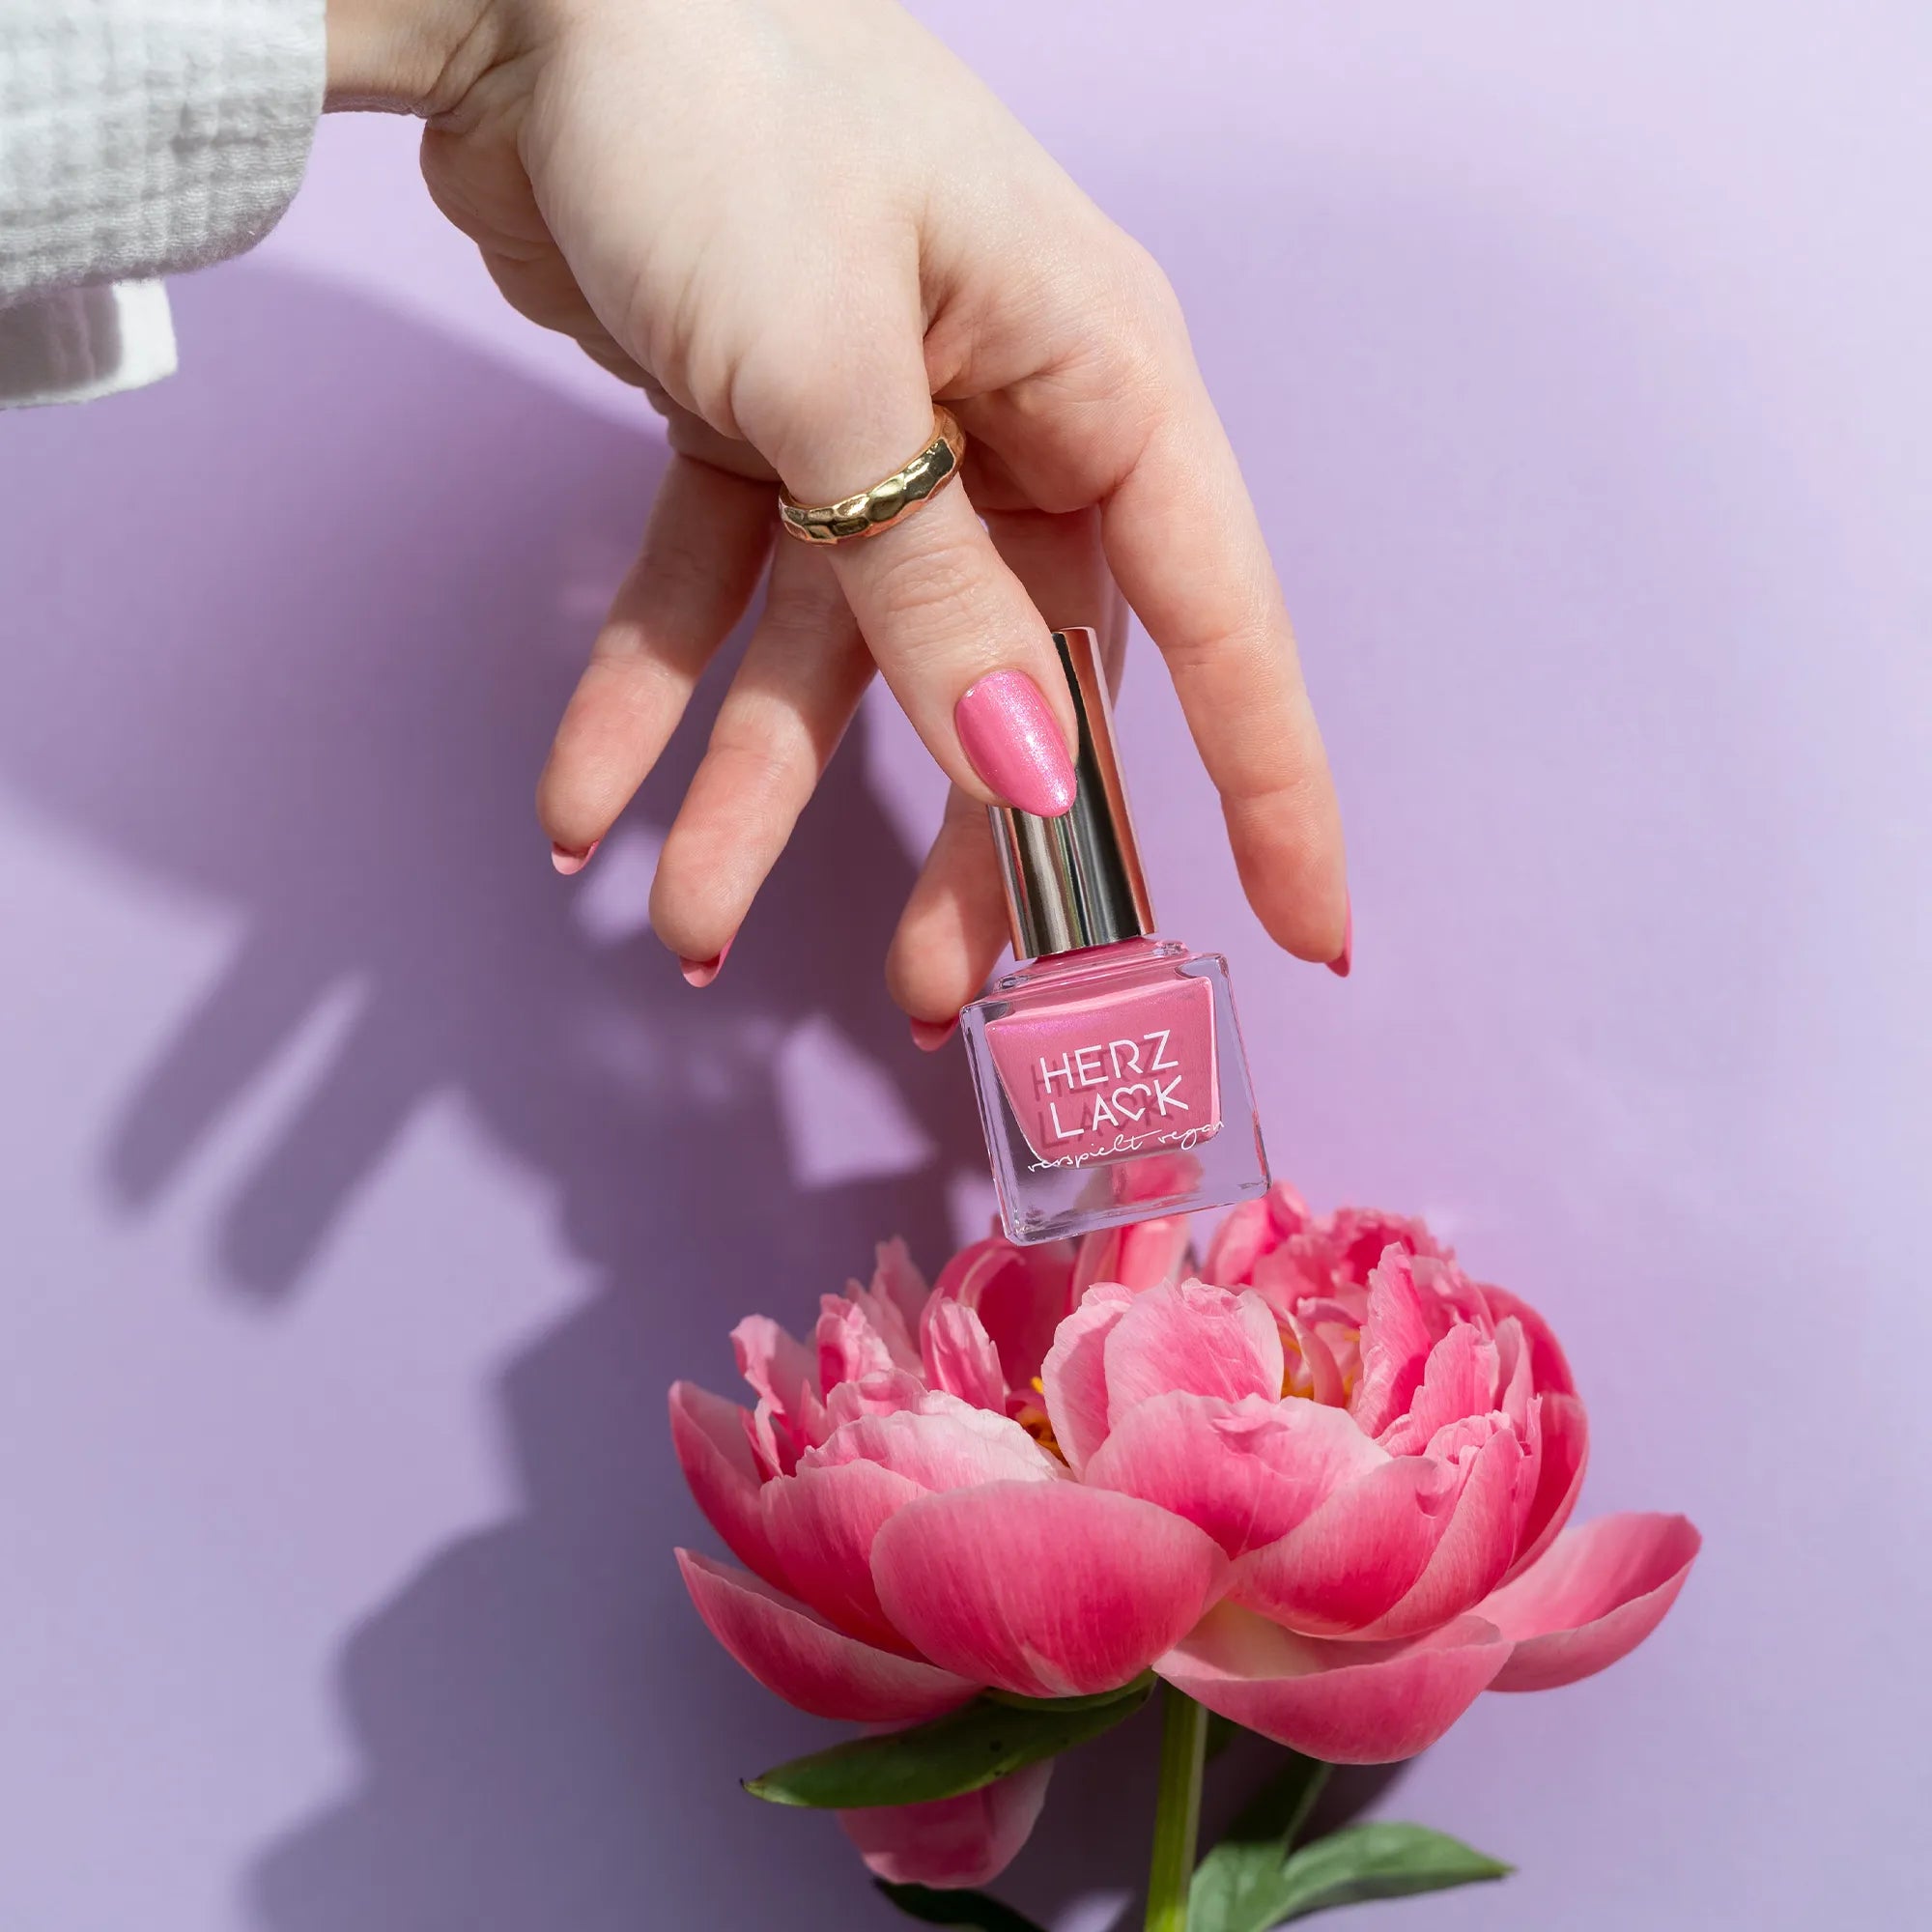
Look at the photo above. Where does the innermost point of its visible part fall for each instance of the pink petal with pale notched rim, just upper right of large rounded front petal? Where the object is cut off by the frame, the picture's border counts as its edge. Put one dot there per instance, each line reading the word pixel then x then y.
pixel 1247 1473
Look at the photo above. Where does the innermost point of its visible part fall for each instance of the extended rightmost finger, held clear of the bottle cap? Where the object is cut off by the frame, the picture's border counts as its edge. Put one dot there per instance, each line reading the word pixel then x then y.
pixel 1185 546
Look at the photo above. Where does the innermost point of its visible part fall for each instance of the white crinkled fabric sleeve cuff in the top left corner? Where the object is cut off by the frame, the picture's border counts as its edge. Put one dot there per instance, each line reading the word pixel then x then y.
pixel 148 136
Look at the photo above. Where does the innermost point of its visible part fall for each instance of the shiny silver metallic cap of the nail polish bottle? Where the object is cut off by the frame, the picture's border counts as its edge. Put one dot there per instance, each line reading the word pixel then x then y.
pixel 1075 882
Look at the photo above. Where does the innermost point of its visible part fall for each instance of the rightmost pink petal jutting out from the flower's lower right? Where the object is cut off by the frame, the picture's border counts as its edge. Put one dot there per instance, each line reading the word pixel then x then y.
pixel 1593 1599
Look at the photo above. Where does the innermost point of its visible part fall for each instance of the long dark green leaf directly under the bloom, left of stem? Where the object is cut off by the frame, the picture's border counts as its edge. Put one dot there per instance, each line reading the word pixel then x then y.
pixel 957 1753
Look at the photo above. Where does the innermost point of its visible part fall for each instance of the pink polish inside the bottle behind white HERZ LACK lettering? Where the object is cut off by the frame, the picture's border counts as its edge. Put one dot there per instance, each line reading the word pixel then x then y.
pixel 1106 1077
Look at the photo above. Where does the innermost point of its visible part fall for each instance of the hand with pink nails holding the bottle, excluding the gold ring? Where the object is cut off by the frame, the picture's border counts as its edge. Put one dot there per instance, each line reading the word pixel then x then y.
pixel 795 229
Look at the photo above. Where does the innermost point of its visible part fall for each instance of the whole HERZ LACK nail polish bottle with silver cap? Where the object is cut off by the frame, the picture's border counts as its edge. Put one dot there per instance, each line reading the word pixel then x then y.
pixel 1108 1065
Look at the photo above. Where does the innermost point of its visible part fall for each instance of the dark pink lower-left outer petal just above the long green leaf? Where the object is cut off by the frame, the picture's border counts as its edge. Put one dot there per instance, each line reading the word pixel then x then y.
pixel 807 1661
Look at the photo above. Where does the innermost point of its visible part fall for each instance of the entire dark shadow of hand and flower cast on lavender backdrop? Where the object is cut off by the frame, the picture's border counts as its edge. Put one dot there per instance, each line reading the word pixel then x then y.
pixel 362 567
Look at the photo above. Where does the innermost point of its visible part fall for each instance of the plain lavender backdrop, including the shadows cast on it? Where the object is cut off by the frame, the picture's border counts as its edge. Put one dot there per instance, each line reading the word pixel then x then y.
pixel 364 1183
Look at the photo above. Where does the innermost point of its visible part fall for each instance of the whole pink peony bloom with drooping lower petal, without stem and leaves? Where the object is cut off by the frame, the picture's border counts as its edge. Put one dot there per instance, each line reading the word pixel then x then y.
pixel 1322 1492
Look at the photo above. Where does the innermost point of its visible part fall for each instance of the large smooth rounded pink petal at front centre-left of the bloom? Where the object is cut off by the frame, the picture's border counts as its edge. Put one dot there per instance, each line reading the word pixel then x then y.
pixel 1046 1589
